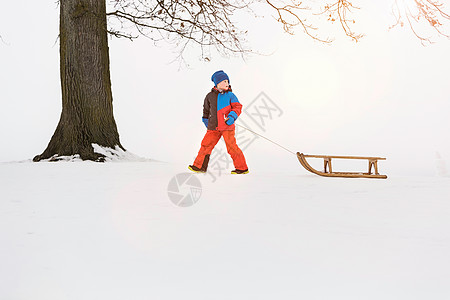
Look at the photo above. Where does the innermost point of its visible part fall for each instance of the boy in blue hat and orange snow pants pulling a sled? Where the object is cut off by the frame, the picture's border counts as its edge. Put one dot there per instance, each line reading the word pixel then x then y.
pixel 220 109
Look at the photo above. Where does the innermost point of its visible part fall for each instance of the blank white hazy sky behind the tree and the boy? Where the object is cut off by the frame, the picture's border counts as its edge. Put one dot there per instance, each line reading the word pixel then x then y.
pixel 385 96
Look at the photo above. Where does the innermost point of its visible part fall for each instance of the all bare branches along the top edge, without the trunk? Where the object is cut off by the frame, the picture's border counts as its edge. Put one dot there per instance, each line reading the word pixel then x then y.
pixel 209 23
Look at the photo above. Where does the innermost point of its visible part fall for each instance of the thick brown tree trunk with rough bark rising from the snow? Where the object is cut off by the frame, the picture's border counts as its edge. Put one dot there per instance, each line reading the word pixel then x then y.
pixel 87 111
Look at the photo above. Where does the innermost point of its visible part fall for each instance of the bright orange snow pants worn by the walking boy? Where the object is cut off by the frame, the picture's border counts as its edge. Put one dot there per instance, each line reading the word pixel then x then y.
pixel 210 140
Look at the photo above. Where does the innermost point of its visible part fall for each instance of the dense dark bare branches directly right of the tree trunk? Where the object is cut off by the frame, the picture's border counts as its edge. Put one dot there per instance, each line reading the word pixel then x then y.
pixel 207 24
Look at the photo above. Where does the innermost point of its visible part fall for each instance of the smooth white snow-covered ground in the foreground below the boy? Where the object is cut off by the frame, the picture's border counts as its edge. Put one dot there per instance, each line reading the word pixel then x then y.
pixel 83 230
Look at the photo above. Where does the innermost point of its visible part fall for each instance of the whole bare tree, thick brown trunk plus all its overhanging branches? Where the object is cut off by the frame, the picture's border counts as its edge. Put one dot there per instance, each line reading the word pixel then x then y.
pixel 87 110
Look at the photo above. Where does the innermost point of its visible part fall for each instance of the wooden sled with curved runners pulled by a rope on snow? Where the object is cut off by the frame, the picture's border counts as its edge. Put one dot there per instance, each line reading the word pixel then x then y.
pixel 328 170
